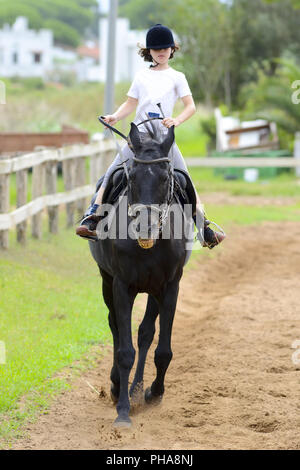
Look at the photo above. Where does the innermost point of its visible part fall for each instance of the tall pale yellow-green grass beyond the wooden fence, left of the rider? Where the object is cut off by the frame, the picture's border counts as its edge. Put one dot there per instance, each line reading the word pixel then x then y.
pixel 47 109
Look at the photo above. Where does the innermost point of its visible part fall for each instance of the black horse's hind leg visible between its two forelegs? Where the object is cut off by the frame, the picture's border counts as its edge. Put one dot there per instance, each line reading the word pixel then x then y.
pixel 145 338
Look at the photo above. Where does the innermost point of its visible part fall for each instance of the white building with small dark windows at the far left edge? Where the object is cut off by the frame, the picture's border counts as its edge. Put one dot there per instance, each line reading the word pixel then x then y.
pixel 24 52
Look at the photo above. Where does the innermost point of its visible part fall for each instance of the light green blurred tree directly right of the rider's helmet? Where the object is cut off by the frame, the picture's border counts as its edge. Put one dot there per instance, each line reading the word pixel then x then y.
pixel 203 30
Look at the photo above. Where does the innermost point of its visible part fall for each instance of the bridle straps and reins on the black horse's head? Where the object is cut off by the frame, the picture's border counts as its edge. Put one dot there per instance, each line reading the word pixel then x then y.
pixel 164 212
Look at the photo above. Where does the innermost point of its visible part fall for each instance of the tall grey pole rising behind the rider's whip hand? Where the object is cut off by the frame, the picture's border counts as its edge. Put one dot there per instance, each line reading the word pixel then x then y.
pixel 111 58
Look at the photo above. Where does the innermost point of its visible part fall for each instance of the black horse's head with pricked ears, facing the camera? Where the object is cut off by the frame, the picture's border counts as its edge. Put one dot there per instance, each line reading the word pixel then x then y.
pixel 150 180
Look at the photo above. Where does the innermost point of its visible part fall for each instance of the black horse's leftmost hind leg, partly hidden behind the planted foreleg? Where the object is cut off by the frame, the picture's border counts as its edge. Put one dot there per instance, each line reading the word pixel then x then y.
pixel 108 299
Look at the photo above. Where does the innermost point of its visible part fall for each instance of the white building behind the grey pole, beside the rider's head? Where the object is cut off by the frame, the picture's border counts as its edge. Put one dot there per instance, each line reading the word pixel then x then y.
pixel 128 62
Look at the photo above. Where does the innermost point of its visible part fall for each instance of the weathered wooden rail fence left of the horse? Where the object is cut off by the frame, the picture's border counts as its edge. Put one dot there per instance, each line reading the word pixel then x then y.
pixel 44 165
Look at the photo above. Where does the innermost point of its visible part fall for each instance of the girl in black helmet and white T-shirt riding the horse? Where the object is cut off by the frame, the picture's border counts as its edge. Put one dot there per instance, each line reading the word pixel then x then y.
pixel 158 84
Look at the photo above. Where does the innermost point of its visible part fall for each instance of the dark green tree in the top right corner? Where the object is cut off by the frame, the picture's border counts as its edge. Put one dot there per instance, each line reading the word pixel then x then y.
pixel 261 33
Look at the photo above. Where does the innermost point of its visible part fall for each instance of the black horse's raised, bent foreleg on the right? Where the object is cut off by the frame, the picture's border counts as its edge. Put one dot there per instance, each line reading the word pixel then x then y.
pixel 163 352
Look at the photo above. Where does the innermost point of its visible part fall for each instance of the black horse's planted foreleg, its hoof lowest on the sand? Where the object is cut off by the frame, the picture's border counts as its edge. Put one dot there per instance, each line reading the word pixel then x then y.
pixel 123 301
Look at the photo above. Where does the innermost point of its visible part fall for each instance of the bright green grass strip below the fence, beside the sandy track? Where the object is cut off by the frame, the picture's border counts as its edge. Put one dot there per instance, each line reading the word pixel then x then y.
pixel 51 314
